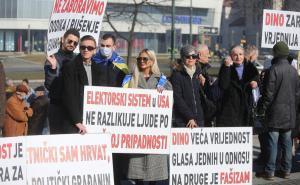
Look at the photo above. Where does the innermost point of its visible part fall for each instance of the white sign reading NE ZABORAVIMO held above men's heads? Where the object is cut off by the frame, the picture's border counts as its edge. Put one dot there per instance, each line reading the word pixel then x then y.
pixel 83 15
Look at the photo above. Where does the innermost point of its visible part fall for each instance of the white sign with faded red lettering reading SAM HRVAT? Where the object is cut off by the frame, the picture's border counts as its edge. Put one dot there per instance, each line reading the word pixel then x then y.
pixel 69 159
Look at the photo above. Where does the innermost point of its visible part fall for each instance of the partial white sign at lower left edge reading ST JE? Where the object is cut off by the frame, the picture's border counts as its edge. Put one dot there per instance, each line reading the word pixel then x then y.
pixel 13 161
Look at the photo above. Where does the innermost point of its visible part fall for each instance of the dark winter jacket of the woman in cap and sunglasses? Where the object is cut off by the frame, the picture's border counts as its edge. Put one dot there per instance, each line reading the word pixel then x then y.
pixel 187 100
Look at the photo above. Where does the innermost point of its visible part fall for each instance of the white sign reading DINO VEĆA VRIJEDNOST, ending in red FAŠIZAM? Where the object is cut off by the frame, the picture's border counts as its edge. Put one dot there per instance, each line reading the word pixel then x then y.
pixel 211 156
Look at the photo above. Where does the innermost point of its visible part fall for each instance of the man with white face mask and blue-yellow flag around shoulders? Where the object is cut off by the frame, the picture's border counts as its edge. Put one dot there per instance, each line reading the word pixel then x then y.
pixel 110 66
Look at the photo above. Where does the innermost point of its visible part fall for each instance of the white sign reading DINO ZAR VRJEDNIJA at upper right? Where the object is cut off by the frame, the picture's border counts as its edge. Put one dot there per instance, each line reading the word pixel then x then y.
pixel 281 26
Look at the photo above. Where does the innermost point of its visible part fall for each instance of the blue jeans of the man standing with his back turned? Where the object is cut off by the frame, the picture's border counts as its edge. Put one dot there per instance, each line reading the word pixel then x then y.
pixel 283 138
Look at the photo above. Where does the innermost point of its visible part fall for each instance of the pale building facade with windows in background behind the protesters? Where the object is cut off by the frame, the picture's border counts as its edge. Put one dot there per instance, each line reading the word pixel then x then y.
pixel 24 23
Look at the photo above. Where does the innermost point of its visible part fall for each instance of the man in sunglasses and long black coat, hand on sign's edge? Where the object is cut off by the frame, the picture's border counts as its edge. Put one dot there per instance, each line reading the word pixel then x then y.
pixel 77 74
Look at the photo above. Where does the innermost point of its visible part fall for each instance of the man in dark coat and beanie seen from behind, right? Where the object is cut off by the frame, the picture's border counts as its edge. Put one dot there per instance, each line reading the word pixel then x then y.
pixel 278 103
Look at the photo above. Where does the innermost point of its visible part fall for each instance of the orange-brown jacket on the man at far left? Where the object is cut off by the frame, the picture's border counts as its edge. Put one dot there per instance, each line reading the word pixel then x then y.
pixel 16 117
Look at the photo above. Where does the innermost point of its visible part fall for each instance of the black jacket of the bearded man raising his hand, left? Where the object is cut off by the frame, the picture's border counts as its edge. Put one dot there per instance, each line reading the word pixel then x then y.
pixel 53 78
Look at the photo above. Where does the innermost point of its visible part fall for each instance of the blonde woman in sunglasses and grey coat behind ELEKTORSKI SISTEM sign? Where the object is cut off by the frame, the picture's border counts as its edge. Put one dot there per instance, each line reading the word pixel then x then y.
pixel 146 75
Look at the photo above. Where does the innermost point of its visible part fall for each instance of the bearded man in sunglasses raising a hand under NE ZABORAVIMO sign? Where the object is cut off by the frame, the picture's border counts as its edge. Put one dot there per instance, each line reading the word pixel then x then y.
pixel 53 80
